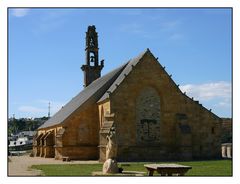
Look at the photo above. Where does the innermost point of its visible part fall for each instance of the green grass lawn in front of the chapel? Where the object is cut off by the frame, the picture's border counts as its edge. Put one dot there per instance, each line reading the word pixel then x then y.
pixel 199 168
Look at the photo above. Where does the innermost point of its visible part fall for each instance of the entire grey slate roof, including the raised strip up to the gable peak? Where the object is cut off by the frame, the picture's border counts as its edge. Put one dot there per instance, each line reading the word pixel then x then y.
pixel 97 91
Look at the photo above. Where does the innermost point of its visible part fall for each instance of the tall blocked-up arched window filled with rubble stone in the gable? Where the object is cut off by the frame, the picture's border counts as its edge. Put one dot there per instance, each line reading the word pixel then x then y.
pixel 148 116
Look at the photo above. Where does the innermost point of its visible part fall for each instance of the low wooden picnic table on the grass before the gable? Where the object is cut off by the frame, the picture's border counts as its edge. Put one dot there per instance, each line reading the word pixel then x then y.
pixel 167 169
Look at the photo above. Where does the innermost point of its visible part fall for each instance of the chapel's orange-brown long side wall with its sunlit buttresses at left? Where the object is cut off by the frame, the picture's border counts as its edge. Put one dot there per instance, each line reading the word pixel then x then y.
pixel 80 137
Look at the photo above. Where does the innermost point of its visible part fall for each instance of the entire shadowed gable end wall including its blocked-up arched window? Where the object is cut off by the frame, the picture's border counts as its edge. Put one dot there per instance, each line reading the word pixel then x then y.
pixel 195 137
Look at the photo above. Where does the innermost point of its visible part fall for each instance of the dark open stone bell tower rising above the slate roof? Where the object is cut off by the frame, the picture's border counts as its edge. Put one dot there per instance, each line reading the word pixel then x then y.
pixel 92 68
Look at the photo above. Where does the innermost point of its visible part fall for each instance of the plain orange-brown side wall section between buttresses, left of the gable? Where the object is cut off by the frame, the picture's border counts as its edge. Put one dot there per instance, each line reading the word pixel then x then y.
pixel 81 134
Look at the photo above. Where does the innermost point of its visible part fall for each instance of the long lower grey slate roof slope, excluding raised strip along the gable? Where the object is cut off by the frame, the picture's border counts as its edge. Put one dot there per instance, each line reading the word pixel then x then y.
pixel 92 92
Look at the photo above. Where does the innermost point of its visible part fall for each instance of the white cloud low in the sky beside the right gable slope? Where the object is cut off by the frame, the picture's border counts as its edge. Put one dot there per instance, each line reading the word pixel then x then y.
pixel 209 91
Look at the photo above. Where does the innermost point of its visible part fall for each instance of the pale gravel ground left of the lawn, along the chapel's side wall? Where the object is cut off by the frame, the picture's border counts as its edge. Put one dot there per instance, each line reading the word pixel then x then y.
pixel 21 165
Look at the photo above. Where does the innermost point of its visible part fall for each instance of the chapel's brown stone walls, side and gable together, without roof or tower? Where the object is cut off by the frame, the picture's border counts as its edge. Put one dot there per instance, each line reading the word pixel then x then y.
pixel 154 120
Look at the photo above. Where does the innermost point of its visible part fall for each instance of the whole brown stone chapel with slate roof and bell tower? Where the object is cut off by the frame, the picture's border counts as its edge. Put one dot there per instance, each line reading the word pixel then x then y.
pixel 152 118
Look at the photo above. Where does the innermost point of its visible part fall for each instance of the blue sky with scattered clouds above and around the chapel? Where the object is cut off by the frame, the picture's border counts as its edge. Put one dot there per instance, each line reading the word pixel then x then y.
pixel 46 51
